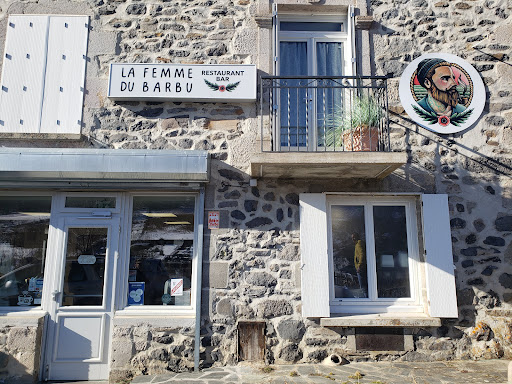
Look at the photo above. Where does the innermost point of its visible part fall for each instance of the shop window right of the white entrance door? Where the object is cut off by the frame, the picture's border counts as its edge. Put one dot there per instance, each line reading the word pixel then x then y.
pixel 162 253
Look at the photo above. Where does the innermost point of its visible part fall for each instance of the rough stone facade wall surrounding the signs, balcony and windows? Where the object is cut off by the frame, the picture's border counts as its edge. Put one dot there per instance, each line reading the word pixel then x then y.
pixel 252 264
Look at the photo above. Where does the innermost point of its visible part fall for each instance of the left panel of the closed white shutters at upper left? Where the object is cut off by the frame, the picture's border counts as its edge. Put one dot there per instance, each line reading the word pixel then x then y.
pixel 23 74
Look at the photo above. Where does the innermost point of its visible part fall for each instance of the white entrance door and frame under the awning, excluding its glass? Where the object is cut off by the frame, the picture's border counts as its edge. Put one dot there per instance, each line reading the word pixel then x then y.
pixel 97 367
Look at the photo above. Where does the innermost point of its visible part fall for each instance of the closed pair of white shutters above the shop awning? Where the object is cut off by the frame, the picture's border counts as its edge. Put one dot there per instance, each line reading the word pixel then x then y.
pixel 43 74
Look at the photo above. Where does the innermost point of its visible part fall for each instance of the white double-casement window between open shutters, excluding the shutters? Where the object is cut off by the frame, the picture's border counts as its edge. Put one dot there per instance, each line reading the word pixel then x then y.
pixel 373 255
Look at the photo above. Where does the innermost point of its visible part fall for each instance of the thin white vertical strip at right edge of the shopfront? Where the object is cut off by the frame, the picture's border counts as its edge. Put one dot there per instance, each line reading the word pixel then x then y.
pixel 199 282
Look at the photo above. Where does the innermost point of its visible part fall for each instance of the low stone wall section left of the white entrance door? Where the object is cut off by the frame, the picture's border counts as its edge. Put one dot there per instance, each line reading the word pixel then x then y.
pixel 20 349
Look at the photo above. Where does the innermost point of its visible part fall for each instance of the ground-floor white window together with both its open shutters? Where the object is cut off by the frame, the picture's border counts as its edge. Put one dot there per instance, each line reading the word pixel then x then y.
pixel 340 234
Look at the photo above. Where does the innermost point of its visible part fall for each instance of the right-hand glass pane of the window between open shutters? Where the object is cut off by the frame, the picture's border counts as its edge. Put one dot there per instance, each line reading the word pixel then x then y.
pixel 391 251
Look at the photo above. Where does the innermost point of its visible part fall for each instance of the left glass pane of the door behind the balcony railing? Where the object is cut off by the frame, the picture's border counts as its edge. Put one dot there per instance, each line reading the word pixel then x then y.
pixel 293 93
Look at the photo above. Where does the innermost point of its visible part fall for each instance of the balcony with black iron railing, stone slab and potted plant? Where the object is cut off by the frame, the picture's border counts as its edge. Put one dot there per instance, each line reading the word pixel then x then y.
pixel 324 127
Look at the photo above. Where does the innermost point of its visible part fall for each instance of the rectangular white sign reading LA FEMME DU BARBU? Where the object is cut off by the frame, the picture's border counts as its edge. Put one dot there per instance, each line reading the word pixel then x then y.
pixel 179 82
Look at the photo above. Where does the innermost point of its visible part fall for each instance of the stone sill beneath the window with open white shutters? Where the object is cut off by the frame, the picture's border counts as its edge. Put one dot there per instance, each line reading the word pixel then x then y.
pixel 381 320
